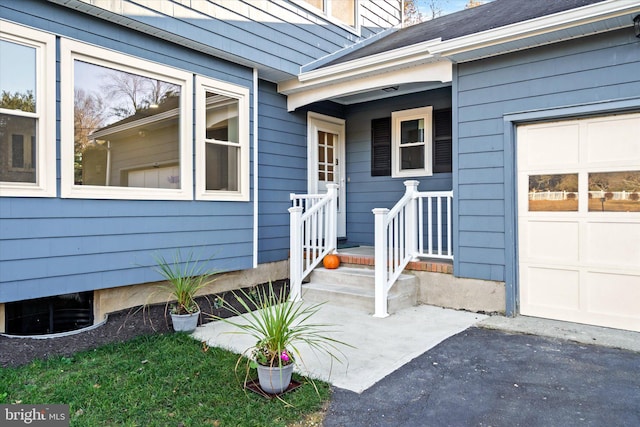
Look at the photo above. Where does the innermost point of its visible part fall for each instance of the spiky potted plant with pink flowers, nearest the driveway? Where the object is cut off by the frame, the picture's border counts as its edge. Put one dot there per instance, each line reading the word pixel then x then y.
pixel 279 326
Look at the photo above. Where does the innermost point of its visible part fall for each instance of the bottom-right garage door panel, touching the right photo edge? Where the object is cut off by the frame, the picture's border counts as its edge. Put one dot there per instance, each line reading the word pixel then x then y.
pixel 616 295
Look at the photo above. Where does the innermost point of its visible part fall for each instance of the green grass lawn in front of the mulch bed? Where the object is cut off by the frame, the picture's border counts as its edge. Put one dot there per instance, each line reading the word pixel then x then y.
pixel 156 380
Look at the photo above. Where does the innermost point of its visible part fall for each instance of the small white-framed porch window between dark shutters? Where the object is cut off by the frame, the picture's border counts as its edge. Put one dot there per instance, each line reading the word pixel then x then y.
pixel 412 142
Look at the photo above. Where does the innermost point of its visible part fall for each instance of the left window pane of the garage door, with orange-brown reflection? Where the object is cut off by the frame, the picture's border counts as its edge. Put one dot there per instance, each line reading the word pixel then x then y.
pixel 557 192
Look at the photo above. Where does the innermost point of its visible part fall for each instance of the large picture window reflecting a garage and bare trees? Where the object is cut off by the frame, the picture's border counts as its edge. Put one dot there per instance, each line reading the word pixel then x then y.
pixel 126 126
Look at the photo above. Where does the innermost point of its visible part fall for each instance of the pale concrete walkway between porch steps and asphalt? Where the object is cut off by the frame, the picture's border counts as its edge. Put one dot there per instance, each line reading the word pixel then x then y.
pixel 381 346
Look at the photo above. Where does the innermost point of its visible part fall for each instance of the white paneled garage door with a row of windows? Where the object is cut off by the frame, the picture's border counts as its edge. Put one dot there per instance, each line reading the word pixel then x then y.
pixel 579 220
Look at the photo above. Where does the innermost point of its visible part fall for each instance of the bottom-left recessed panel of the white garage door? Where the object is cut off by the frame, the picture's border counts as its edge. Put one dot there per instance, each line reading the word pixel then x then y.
pixel 554 288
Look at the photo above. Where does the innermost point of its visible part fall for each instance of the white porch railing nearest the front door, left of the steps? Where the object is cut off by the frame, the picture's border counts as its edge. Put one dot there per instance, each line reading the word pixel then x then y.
pixel 313 233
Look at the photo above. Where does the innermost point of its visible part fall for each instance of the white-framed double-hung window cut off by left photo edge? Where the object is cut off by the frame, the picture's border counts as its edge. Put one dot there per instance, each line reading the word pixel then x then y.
pixel 27 112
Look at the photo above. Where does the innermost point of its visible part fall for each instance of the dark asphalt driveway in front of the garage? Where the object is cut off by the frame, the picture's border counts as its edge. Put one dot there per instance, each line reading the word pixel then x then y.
pixel 485 377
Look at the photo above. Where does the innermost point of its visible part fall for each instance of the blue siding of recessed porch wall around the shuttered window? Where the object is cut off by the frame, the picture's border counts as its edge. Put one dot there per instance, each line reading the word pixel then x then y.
pixel 366 192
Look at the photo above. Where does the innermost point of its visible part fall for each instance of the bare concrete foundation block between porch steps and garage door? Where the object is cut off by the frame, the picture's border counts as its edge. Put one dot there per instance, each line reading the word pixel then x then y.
pixel 445 290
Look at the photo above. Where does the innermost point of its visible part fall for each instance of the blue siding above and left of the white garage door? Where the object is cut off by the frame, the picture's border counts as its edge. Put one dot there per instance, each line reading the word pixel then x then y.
pixel 588 71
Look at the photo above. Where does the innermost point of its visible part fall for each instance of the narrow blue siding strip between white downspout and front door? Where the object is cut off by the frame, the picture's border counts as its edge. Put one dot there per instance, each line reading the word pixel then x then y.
pixel 282 161
